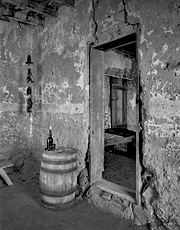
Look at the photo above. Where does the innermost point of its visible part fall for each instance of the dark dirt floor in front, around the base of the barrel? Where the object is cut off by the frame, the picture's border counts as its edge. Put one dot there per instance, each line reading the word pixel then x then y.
pixel 21 209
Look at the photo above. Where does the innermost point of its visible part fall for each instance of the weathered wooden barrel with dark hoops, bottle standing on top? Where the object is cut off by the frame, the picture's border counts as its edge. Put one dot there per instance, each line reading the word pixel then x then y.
pixel 58 178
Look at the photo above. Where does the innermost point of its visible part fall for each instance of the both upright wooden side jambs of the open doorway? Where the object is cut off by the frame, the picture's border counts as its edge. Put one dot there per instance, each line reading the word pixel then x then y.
pixel 97 73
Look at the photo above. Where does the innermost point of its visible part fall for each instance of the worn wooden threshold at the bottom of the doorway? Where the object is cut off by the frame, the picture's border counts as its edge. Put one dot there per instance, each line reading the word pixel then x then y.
pixel 115 189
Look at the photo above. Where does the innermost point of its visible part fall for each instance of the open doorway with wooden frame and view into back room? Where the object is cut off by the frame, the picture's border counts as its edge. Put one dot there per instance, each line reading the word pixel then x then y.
pixel 114 115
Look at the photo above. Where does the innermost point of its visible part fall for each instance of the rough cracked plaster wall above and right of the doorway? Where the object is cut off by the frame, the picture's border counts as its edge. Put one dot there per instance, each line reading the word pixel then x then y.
pixel 159 70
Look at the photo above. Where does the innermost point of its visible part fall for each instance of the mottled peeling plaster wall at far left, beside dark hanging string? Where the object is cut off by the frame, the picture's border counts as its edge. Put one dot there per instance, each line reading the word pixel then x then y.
pixel 16 42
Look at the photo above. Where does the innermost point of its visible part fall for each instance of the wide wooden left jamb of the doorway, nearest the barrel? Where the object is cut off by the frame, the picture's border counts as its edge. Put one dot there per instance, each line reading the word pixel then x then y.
pixel 96 114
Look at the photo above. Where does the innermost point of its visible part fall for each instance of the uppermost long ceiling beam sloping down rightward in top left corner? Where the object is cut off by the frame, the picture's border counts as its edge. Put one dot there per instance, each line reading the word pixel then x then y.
pixel 33 7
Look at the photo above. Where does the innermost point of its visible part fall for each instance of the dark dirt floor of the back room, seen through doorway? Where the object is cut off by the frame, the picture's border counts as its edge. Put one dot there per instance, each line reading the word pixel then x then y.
pixel 119 168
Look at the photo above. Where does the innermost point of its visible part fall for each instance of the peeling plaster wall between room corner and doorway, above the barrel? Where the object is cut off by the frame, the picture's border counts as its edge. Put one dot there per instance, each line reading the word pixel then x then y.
pixel 64 79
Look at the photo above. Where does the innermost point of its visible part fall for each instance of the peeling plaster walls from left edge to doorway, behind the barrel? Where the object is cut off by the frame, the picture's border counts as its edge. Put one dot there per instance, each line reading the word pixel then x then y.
pixel 61 84
